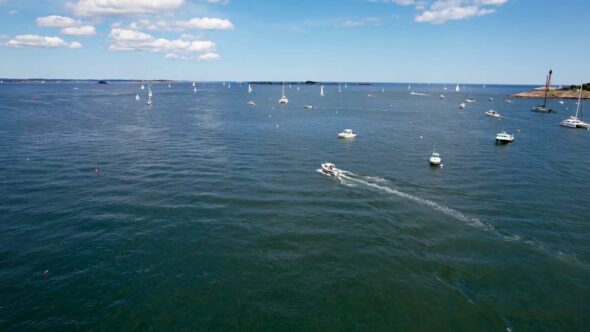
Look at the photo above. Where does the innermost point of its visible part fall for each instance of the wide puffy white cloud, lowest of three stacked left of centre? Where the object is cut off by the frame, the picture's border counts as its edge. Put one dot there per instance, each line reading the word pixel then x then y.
pixel 132 40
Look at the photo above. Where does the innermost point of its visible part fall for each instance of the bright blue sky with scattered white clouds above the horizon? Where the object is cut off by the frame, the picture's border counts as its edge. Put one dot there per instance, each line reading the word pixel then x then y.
pixel 467 41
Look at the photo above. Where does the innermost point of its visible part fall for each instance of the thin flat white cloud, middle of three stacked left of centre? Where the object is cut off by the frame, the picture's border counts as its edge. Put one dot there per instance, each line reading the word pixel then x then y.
pixel 204 23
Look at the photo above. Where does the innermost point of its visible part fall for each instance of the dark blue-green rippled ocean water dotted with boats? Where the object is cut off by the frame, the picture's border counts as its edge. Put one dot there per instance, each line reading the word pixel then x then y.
pixel 202 213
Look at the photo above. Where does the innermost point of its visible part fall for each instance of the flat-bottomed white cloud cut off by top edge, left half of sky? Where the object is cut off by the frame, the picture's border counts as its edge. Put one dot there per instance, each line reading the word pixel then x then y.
pixel 123 7
